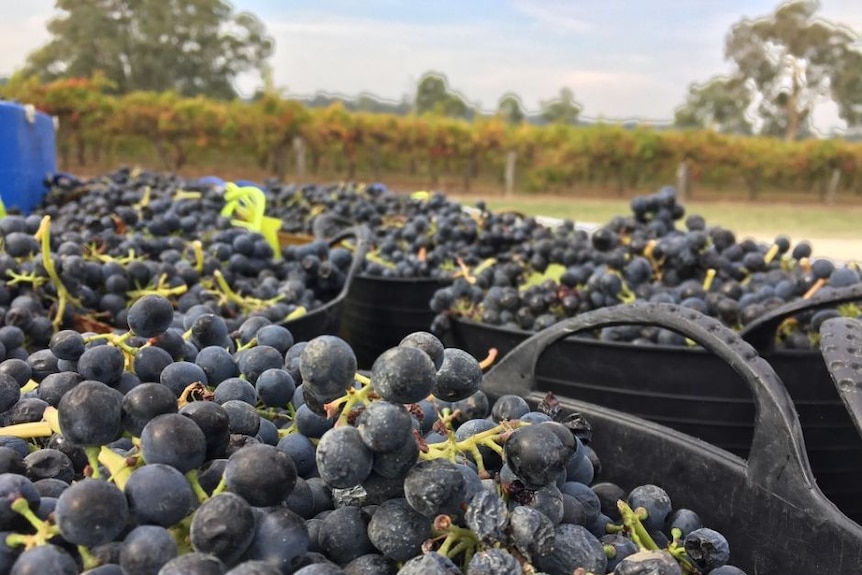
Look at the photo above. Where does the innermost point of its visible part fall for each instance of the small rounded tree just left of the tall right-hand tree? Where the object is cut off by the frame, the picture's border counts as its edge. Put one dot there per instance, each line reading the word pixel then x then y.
pixel 721 104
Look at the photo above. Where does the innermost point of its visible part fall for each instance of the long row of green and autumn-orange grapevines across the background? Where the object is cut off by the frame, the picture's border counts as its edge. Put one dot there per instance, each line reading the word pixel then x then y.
pixel 282 137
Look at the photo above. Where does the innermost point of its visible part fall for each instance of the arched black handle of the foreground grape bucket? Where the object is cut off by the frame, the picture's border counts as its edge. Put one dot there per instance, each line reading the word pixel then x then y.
pixel 777 460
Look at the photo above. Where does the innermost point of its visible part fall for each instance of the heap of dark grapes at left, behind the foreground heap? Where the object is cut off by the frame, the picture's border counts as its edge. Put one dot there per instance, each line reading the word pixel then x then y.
pixel 93 249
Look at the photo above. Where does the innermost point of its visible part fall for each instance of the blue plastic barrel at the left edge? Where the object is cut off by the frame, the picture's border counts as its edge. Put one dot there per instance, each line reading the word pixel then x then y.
pixel 27 155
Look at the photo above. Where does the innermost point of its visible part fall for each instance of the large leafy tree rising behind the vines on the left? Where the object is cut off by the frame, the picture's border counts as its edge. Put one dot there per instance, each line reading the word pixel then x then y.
pixel 189 46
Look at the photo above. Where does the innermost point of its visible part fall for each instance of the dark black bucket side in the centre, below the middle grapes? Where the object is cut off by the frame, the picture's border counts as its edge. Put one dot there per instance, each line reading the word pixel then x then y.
pixel 379 312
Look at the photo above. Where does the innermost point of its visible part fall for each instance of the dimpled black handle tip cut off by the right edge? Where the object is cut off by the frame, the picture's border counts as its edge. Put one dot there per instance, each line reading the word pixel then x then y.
pixel 841 347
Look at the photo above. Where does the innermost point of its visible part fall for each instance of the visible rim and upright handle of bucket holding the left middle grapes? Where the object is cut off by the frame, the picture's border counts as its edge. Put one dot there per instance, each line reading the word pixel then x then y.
pixel 327 319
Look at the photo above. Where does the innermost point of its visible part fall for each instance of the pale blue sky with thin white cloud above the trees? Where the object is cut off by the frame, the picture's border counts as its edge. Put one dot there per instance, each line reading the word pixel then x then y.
pixel 624 59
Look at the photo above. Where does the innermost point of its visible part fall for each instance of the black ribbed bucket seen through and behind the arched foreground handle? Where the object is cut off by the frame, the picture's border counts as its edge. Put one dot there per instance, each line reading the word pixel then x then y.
pixel 692 391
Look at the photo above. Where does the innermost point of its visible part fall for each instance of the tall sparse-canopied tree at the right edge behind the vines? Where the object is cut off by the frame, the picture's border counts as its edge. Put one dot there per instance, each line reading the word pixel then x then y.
pixel 792 61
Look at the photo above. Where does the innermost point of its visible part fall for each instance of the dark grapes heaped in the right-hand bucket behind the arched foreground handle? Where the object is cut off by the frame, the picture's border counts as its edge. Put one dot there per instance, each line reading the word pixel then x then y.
pixel 647 256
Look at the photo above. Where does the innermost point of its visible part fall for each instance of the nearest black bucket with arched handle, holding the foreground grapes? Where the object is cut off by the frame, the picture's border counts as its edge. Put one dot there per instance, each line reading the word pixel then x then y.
pixel 770 507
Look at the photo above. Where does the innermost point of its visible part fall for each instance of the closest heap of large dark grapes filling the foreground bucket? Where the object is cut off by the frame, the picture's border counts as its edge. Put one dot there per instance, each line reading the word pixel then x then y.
pixel 279 457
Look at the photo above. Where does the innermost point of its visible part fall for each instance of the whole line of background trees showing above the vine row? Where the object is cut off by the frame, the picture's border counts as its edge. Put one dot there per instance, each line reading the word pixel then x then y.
pixel 783 66
